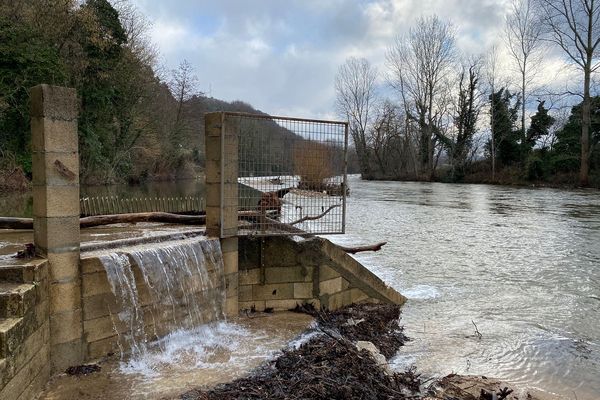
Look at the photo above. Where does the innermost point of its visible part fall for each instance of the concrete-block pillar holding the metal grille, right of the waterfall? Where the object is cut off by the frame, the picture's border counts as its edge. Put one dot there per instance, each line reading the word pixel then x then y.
pixel 222 196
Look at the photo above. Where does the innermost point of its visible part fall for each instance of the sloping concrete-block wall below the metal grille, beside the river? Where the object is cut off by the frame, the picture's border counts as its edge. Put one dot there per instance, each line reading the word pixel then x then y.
pixel 279 272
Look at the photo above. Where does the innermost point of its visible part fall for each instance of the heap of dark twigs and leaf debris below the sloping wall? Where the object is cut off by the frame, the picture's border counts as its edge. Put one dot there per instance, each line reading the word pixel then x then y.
pixel 329 366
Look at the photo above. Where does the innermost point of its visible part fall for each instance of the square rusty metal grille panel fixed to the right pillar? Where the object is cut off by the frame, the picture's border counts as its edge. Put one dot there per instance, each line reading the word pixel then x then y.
pixel 291 175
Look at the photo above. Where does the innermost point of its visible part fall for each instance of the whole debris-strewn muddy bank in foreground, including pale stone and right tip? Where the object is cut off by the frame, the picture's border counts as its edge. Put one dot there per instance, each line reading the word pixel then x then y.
pixel 346 358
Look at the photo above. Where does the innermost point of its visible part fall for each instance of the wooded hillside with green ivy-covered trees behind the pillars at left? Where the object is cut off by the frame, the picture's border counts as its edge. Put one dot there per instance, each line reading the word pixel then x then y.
pixel 136 121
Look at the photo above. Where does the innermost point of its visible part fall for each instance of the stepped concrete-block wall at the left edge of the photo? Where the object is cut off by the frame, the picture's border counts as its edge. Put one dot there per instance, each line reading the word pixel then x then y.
pixel 24 330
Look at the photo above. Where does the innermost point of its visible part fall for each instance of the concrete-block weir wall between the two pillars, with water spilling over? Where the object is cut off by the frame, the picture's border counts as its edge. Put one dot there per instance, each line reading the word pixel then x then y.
pixel 137 294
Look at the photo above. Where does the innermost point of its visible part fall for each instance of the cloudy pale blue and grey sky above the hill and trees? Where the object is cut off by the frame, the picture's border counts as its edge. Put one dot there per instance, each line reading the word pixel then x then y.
pixel 281 56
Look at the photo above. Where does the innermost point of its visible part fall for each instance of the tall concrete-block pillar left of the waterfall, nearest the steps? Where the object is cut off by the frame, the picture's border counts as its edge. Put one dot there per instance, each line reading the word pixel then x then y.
pixel 56 215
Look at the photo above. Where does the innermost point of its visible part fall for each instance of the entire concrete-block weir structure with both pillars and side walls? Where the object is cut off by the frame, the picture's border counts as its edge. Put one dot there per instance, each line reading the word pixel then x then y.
pixel 75 303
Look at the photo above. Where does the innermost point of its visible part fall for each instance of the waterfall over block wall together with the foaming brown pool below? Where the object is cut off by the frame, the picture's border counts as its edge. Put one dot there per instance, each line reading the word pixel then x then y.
pixel 161 305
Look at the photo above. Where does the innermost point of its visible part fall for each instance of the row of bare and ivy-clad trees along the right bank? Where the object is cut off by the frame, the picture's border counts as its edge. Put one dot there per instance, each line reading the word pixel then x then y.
pixel 456 117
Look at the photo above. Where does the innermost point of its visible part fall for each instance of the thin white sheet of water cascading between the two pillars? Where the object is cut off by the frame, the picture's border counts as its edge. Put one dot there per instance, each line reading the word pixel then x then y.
pixel 163 288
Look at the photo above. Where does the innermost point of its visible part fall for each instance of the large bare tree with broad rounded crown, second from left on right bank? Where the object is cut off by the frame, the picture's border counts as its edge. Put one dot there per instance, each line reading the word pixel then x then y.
pixel 420 64
